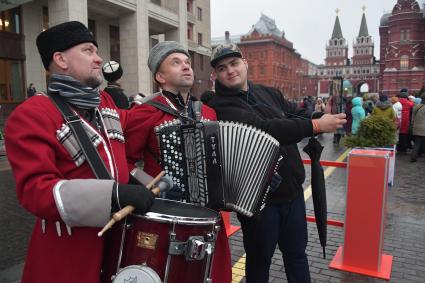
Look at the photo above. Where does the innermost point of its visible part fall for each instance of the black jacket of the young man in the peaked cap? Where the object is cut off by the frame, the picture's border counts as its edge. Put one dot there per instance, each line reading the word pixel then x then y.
pixel 265 108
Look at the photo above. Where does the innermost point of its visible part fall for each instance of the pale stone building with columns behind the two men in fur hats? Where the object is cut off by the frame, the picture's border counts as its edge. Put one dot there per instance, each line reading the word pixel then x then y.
pixel 124 29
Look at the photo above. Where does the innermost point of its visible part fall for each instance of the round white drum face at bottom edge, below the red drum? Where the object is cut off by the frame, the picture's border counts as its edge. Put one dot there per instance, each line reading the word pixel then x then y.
pixel 137 273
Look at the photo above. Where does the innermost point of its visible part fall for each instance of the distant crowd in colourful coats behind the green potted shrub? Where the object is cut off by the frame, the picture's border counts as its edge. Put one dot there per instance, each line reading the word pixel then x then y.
pixel 406 111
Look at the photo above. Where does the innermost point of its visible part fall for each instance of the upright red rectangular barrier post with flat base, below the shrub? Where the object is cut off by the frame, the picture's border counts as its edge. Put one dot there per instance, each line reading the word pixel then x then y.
pixel 367 186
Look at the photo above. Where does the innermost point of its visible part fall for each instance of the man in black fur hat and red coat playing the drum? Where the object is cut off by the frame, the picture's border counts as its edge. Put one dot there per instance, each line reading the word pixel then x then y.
pixel 53 178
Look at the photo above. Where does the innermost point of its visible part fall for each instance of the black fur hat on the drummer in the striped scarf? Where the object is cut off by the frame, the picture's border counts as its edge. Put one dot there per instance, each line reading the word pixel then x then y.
pixel 60 38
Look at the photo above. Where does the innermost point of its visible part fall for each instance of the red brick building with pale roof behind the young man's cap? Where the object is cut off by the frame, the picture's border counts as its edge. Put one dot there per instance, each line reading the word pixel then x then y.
pixel 273 60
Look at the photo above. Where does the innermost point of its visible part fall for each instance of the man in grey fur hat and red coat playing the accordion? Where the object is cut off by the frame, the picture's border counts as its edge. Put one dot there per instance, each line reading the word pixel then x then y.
pixel 170 65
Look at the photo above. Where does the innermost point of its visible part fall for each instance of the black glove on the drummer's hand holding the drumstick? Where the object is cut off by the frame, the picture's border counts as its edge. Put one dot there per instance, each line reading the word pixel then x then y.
pixel 136 195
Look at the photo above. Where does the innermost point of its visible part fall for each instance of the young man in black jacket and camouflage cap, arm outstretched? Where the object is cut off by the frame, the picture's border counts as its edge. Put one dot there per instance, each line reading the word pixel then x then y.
pixel 283 220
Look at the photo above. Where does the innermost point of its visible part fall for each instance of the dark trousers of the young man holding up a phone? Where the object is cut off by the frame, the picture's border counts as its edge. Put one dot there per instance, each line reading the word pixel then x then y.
pixel 284 225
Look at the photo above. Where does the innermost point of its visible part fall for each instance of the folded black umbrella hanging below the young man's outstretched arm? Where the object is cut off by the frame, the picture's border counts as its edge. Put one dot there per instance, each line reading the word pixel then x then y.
pixel 318 188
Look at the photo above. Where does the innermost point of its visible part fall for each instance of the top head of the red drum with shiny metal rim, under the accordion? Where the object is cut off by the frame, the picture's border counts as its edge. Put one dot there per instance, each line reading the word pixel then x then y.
pixel 165 210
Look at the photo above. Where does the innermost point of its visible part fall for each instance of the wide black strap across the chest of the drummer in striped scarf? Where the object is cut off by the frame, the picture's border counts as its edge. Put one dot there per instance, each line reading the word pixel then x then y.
pixel 75 124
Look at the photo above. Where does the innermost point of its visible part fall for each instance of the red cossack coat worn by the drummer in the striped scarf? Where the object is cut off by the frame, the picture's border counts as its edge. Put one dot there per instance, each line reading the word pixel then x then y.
pixel 39 161
